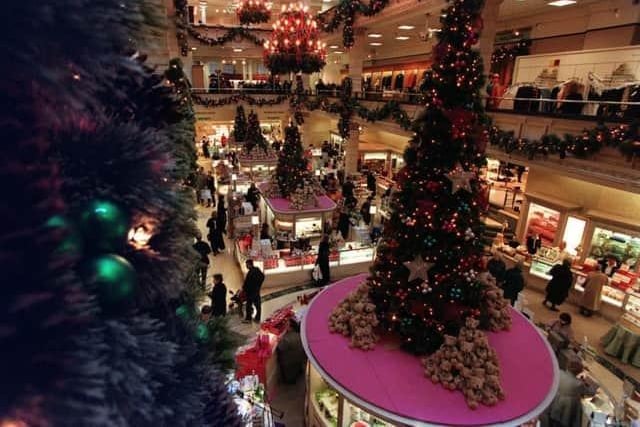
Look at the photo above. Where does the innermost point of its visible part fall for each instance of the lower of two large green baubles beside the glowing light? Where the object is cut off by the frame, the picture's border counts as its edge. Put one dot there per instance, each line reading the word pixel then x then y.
pixel 113 278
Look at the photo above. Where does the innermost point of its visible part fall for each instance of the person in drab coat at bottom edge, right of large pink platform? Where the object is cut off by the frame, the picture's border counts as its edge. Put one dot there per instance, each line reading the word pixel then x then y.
pixel 566 407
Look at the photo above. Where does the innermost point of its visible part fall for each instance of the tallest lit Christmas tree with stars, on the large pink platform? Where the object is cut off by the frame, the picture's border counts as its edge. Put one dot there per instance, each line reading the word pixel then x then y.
pixel 424 280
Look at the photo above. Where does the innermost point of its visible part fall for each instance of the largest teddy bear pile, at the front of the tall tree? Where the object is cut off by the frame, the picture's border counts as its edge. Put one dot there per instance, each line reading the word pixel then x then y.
pixel 467 363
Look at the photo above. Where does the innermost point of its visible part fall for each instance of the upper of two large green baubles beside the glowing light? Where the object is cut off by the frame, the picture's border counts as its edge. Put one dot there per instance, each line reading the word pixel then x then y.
pixel 104 226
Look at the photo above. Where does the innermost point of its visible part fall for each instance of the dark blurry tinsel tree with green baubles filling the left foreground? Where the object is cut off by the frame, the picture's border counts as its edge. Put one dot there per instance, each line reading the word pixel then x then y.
pixel 97 228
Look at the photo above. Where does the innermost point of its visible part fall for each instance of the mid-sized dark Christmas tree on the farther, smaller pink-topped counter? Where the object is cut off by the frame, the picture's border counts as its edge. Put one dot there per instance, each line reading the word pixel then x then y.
pixel 293 167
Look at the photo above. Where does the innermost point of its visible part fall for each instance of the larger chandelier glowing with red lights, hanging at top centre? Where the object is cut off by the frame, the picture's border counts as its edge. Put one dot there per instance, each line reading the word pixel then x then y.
pixel 294 46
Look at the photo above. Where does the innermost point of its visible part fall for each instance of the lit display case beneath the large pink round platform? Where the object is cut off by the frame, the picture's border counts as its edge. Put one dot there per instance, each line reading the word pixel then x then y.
pixel 328 408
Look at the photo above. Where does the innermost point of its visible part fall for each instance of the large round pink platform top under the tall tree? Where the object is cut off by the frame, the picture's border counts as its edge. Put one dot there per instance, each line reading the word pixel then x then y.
pixel 390 382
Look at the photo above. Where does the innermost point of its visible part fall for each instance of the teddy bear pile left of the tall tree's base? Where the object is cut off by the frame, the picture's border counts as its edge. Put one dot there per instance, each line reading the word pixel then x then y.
pixel 356 317
